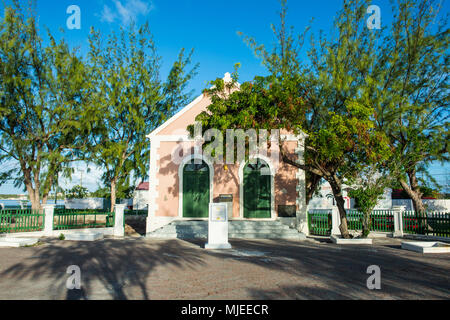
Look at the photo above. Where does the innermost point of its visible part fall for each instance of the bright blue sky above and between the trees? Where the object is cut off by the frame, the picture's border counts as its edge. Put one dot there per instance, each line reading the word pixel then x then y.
pixel 210 27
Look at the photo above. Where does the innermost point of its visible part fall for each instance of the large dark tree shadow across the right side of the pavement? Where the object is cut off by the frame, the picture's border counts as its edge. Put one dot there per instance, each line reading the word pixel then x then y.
pixel 338 272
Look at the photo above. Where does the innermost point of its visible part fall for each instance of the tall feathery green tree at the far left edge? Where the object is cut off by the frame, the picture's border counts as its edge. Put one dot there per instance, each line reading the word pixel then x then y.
pixel 43 103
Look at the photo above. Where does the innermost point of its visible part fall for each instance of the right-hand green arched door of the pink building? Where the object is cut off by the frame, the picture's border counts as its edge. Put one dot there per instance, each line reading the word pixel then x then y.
pixel 257 191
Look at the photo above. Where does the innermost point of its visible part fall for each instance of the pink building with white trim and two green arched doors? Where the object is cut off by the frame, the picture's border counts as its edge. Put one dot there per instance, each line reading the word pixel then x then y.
pixel 181 189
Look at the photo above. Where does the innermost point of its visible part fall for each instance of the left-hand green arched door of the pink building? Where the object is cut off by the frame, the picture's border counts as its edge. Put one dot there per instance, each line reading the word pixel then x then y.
pixel 196 190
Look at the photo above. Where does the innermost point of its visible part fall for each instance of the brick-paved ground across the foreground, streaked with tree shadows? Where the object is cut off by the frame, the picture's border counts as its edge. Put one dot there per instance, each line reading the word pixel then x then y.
pixel 139 268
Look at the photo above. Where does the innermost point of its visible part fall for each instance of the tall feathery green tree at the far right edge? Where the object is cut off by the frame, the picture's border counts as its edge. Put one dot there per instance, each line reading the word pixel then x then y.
pixel 410 92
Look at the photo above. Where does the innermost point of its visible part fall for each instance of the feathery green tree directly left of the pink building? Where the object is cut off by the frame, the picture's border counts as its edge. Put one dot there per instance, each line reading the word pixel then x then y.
pixel 126 87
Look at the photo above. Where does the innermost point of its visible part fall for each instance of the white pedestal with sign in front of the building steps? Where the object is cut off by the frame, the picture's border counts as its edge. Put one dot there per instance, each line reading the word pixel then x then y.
pixel 218 227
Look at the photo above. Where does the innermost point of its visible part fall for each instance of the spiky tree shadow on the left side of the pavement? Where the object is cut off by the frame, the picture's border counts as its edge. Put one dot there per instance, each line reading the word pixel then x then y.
pixel 109 265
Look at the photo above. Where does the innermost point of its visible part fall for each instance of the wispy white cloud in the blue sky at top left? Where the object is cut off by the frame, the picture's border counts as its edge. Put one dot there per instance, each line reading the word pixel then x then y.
pixel 125 10
